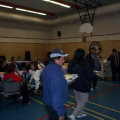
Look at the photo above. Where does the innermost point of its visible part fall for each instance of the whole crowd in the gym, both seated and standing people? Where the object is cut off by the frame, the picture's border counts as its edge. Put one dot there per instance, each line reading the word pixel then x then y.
pixel 55 87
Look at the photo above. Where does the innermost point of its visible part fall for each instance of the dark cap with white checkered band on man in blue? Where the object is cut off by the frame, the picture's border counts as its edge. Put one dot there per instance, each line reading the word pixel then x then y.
pixel 57 53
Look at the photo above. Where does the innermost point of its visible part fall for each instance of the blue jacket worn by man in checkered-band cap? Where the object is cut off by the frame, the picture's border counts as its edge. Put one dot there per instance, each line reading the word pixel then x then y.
pixel 55 88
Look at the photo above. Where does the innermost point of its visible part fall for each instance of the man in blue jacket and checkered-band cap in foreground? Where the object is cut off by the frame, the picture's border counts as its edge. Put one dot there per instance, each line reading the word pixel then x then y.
pixel 55 88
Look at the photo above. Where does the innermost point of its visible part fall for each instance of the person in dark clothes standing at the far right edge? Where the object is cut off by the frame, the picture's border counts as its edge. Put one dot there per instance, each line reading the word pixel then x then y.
pixel 115 63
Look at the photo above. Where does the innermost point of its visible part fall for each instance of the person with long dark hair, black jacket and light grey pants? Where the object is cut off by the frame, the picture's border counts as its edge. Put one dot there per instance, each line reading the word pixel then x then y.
pixel 82 84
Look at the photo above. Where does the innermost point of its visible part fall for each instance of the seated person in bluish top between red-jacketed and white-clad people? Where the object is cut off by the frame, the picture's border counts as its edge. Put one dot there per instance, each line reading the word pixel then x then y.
pixel 26 75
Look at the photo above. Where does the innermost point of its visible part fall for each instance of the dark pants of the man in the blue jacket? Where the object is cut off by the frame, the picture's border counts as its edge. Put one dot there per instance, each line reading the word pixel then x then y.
pixel 53 114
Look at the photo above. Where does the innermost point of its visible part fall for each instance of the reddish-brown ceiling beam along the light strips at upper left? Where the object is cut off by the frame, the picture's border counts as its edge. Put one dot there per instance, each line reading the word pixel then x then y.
pixel 27 8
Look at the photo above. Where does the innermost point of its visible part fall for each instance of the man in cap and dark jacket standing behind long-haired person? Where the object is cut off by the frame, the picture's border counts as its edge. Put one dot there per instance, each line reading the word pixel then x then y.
pixel 93 60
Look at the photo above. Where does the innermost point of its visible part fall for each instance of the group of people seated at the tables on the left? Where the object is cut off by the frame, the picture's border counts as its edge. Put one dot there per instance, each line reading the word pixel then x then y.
pixel 29 79
